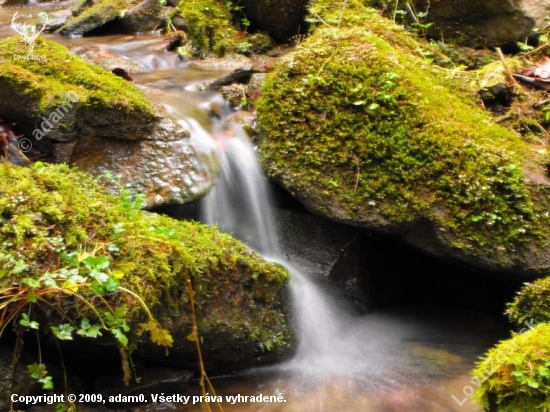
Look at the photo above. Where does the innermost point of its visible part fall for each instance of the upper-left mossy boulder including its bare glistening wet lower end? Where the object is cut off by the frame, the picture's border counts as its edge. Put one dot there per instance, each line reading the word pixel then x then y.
pixel 60 97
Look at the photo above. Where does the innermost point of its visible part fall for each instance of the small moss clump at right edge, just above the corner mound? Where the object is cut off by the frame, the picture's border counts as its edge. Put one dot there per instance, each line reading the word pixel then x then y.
pixel 532 304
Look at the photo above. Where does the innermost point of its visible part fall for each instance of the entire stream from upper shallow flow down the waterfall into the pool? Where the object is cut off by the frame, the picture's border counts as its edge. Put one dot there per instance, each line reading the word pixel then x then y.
pixel 395 360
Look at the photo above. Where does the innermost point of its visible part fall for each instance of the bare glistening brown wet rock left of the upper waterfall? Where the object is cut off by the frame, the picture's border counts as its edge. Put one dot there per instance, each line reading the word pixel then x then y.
pixel 169 167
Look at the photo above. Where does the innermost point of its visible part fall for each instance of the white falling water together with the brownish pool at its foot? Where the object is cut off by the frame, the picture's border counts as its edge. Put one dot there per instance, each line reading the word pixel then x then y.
pixel 342 362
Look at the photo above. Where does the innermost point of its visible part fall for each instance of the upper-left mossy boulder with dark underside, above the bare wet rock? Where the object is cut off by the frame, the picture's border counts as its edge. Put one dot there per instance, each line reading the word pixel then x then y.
pixel 54 93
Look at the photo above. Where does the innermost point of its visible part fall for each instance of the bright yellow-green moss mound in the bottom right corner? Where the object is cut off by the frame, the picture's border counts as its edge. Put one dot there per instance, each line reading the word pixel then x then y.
pixel 515 375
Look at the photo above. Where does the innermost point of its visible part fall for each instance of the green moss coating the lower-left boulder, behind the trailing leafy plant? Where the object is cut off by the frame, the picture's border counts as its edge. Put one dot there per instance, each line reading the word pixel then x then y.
pixel 47 213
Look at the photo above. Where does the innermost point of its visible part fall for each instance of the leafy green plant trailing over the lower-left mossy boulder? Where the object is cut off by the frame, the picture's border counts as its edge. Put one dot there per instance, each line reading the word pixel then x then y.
pixel 42 304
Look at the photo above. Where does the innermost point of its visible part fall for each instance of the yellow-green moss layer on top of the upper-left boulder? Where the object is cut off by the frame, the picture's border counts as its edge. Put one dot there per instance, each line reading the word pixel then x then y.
pixel 49 79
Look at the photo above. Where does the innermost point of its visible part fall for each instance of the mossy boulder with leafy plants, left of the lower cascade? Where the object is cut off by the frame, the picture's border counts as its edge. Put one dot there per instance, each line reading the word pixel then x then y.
pixel 55 222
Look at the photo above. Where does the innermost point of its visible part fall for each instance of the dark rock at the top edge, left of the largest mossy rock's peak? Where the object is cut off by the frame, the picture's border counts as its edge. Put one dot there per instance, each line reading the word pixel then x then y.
pixel 286 17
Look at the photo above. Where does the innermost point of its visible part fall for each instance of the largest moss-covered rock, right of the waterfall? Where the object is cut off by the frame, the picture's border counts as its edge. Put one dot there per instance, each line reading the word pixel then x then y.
pixel 363 130
